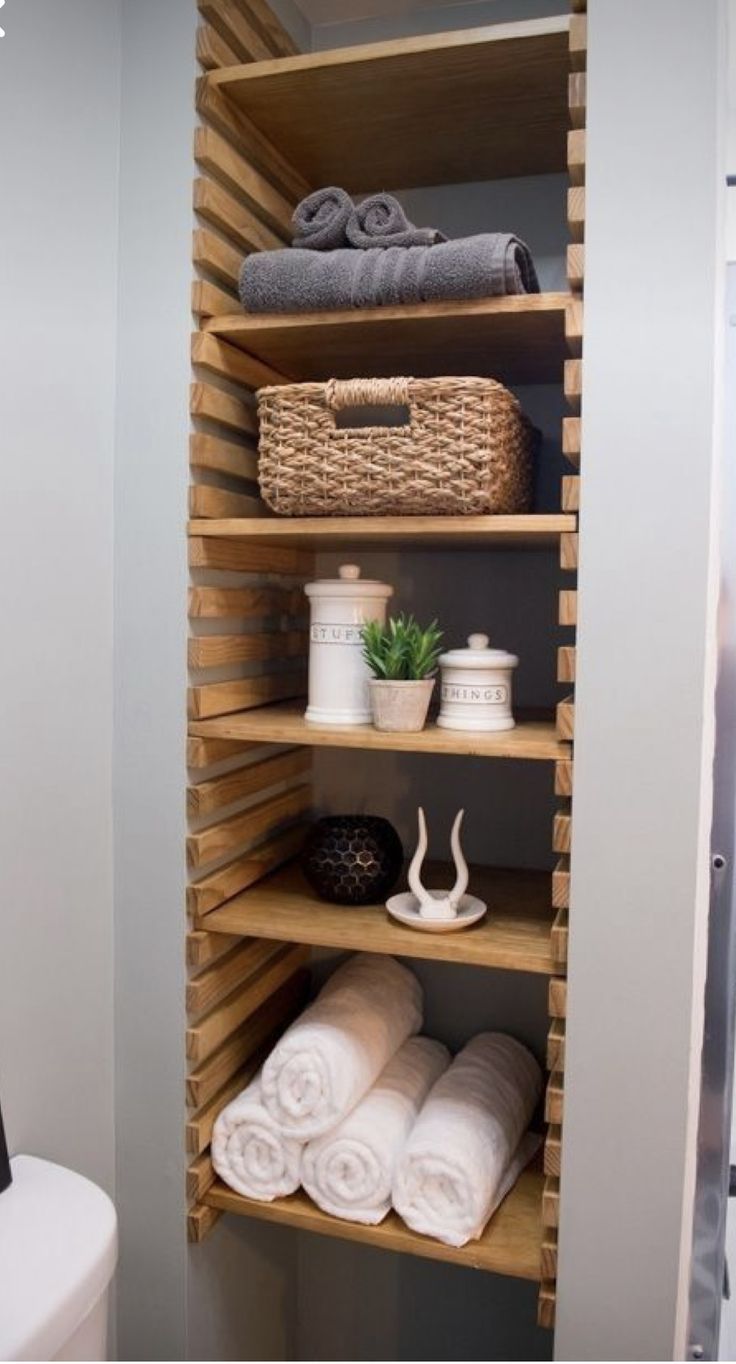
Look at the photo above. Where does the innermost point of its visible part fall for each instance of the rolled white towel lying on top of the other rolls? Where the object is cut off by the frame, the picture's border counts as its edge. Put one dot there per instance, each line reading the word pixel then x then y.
pixel 335 1052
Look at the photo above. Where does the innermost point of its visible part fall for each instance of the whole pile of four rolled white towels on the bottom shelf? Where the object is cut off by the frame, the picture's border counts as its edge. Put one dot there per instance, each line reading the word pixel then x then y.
pixel 366 1115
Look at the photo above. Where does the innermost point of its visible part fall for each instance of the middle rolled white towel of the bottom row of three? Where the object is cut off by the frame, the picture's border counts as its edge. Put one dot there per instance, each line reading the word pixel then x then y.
pixel 350 1172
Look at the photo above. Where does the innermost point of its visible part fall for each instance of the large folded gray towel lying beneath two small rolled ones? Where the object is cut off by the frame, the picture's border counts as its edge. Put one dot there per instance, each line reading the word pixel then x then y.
pixel 310 282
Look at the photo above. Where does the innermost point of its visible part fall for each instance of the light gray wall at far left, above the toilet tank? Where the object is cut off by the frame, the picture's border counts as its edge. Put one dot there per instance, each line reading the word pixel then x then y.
pixel 58 280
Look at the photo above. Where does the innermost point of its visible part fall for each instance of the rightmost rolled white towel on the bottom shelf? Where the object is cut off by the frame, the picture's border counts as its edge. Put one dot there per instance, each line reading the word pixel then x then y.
pixel 467 1149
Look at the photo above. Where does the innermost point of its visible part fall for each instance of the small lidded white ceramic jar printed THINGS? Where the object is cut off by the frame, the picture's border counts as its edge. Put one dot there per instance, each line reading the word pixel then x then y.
pixel 476 688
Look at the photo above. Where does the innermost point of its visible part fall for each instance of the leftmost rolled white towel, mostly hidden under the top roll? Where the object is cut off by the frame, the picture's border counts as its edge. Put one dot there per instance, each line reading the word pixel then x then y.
pixel 249 1151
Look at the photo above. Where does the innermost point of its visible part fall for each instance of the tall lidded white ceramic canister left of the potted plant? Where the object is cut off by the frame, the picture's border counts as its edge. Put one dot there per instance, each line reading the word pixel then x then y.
pixel 339 673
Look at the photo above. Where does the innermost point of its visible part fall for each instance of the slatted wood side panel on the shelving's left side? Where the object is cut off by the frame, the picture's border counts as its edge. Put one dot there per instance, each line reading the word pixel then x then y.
pixel 247 804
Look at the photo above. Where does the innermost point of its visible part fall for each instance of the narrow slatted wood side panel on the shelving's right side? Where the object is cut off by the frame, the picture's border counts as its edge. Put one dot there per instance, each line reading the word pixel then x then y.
pixel 562 830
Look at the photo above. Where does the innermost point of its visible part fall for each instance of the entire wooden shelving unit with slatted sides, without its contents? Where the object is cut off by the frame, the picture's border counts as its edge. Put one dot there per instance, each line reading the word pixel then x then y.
pixel 474 106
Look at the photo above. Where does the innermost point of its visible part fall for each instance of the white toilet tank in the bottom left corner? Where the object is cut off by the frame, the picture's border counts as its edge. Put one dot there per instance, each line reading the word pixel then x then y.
pixel 58 1256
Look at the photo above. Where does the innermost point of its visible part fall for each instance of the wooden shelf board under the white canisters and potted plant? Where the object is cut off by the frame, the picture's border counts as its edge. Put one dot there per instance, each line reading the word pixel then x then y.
pixel 286 724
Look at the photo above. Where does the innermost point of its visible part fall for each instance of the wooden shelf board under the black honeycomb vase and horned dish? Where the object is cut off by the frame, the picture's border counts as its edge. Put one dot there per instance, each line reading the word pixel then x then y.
pixel 516 935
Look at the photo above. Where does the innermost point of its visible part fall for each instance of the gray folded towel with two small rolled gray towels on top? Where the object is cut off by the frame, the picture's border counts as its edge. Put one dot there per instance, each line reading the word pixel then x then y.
pixel 369 256
